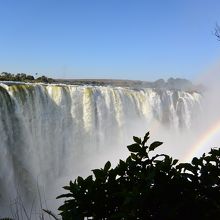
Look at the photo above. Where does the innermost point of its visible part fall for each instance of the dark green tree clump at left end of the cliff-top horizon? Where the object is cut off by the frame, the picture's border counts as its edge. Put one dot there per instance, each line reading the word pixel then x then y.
pixel 22 77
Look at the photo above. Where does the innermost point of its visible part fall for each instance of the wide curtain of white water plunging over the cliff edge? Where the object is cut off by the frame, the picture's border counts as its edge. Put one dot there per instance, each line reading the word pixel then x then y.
pixel 49 132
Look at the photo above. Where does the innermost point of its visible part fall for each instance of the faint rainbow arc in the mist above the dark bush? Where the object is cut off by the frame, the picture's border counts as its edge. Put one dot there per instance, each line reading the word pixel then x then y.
pixel 205 140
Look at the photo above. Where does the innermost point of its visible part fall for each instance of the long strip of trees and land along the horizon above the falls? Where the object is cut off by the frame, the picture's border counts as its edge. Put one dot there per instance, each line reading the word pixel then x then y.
pixel 171 83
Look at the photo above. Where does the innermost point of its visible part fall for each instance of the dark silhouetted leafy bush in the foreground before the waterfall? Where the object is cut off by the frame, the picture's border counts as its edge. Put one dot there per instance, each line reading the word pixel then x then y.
pixel 147 186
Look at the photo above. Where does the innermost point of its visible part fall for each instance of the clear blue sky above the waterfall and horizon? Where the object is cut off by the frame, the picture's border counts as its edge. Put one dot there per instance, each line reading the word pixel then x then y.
pixel 119 39
